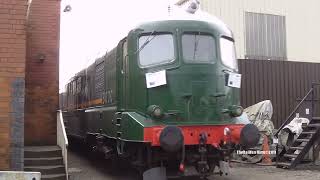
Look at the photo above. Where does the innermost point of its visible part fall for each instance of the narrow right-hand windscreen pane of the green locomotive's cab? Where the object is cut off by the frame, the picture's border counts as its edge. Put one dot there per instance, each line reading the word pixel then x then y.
pixel 228 55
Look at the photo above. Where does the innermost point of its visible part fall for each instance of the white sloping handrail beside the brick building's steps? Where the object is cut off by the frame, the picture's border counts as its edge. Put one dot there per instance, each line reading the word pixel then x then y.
pixel 62 140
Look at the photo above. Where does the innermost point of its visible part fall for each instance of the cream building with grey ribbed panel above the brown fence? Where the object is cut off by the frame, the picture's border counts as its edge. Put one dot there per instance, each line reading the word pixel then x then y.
pixel 270 29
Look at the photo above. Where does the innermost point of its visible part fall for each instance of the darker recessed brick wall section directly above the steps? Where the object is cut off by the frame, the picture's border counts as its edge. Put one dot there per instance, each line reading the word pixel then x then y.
pixel 42 77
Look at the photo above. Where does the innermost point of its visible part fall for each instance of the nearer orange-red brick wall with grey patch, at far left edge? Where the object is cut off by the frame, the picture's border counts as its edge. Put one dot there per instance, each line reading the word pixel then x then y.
pixel 12 82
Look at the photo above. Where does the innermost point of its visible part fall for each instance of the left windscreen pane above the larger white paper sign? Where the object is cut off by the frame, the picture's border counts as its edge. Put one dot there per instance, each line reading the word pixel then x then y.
pixel 156 49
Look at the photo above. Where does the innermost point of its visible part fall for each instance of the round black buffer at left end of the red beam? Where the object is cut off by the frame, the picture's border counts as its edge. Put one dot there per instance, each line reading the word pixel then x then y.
pixel 171 139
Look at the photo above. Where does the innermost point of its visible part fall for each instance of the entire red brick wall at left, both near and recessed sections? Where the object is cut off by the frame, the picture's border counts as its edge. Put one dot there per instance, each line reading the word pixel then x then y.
pixel 28 87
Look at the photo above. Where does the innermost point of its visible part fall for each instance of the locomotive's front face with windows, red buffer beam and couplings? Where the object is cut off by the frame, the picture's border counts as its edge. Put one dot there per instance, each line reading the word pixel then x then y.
pixel 182 81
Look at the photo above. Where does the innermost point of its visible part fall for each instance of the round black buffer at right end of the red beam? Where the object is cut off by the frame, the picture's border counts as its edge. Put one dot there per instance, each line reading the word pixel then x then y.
pixel 249 136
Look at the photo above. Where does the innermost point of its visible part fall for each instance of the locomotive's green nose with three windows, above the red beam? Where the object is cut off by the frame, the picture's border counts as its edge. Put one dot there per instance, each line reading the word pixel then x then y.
pixel 183 67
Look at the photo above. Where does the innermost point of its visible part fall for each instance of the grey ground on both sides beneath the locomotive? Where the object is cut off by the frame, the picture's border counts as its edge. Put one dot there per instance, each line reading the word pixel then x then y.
pixel 83 168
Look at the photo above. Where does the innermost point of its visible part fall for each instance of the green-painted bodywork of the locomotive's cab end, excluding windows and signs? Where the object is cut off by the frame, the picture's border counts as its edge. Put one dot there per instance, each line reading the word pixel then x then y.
pixel 199 85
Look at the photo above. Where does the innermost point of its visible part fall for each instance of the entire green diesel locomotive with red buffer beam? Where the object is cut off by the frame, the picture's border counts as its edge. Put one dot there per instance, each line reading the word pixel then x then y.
pixel 167 97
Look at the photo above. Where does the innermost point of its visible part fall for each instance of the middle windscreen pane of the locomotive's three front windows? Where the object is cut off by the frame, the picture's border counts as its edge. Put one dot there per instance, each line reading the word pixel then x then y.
pixel 198 48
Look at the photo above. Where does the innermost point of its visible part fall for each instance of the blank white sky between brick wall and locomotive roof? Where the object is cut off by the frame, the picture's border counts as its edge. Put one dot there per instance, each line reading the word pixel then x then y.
pixel 94 26
